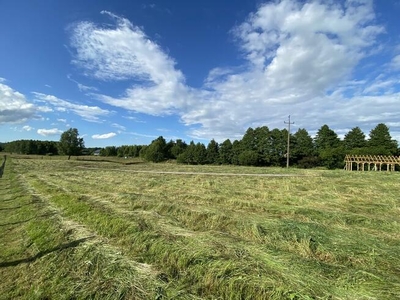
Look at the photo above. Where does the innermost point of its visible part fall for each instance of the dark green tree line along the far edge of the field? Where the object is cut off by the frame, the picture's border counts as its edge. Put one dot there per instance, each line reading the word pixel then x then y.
pixel 258 147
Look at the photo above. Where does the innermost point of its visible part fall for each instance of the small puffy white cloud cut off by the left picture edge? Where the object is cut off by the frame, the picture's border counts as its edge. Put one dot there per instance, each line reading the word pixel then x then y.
pixel 14 108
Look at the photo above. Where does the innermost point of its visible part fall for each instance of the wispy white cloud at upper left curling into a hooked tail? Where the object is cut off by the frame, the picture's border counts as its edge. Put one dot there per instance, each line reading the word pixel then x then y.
pixel 125 52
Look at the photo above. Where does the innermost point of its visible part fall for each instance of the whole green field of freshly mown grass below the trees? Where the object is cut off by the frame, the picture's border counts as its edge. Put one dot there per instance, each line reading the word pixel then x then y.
pixel 105 230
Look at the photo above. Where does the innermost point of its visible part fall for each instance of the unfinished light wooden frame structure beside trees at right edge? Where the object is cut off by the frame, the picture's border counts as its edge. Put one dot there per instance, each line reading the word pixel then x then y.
pixel 371 162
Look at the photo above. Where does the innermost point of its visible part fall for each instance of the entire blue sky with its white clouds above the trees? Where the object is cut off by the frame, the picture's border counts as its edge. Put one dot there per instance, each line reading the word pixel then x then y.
pixel 126 72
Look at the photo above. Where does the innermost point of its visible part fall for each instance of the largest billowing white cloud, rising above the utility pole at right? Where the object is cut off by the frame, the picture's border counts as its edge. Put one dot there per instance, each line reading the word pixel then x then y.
pixel 297 53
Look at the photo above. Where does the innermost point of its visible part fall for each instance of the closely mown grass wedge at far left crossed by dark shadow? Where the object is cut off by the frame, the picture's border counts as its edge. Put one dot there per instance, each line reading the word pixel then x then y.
pixel 46 256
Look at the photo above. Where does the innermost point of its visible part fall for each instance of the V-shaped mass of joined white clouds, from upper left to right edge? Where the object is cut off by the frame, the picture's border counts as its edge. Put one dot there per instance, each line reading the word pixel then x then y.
pixel 300 60
